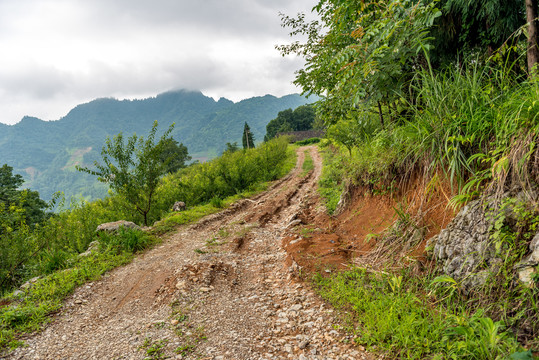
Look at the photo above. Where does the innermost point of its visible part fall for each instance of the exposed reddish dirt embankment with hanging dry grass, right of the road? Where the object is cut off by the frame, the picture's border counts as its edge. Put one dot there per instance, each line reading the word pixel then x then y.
pixel 354 235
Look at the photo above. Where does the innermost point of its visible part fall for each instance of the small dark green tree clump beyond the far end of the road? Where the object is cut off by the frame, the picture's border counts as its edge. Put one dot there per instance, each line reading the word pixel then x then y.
pixel 300 119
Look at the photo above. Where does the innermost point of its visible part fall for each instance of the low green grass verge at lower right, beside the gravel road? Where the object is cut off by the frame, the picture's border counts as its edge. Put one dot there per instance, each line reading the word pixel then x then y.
pixel 404 317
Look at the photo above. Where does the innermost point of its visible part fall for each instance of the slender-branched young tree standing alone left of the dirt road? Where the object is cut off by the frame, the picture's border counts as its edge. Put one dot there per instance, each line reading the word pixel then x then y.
pixel 133 169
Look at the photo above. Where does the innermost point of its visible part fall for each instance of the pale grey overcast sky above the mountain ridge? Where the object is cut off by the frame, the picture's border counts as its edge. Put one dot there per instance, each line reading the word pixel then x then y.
pixel 56 54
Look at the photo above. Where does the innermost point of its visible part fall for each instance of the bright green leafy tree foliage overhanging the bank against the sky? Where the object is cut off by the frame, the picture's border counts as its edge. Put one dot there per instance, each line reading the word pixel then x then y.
pixel 361 52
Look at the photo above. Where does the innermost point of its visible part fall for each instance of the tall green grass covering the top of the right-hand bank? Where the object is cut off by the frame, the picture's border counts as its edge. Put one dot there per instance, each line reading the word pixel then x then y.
pixel 475 124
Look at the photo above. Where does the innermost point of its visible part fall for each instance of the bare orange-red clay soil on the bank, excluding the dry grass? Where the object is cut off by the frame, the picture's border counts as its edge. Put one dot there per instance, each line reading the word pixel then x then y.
pixel 332 242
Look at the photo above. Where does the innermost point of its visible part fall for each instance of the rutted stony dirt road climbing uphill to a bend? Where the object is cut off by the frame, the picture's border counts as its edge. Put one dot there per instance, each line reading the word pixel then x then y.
pixel 218 289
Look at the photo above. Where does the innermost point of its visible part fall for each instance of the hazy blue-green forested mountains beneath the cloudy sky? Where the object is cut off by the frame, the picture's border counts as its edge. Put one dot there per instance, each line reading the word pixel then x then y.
pixel 46 153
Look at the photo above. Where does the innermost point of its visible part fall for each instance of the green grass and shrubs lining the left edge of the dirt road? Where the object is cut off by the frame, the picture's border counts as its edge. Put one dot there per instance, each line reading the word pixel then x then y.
pixel 51 252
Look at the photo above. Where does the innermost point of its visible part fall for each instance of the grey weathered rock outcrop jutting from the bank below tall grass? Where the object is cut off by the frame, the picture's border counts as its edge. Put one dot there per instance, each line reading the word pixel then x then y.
pixel 467 250
